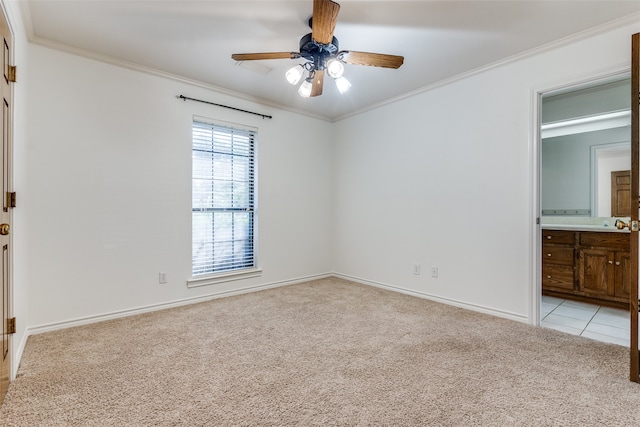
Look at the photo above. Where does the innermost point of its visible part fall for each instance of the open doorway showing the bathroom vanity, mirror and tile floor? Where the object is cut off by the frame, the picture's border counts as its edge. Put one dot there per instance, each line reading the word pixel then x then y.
pixel 585 144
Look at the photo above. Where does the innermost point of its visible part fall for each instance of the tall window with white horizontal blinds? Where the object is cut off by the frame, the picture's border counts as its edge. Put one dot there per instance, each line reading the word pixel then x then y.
pixel 223 206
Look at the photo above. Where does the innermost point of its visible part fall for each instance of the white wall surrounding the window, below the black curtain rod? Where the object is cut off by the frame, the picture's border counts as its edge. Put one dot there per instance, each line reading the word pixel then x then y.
pixel 109 176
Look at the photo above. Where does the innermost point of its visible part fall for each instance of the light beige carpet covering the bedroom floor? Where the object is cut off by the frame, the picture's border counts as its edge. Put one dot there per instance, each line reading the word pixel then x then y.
pixel 327 352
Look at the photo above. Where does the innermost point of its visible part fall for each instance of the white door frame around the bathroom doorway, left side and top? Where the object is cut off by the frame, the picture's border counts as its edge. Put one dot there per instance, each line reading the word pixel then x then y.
pixel 536 165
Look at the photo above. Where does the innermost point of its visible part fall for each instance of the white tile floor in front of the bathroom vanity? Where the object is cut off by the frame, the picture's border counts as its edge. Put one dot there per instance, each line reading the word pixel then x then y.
pixel 592 321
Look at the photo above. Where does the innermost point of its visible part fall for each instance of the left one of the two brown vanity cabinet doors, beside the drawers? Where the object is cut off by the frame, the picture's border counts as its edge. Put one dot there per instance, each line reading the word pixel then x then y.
pixel 597 272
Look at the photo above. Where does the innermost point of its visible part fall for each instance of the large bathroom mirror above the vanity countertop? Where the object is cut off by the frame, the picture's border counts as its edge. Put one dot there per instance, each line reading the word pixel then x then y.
pixel 585 141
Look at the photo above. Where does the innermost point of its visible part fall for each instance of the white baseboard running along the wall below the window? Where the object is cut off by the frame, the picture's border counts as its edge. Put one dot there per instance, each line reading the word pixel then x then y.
pixel 34 330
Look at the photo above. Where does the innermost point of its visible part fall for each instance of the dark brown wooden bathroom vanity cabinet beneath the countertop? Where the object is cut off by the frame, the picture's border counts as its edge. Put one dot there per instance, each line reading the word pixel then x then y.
pixel 587 265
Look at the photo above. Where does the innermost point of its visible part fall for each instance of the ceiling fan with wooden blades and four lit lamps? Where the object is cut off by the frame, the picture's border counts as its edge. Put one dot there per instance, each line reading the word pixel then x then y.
pixel 320 49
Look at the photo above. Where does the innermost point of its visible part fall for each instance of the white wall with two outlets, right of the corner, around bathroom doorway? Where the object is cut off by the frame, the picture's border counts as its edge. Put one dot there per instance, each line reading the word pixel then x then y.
pixel 444 178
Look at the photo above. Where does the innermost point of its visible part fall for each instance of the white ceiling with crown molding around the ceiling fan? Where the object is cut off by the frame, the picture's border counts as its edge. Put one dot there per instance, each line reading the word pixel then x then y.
pixel 195 40
